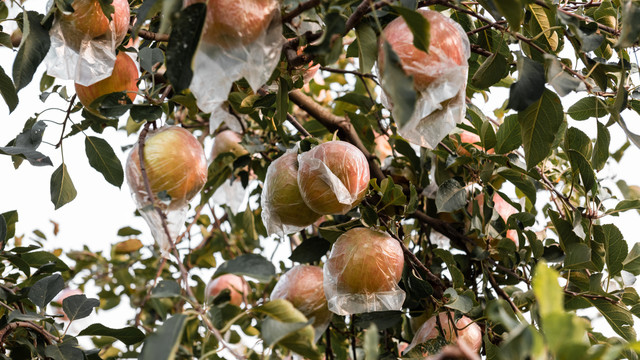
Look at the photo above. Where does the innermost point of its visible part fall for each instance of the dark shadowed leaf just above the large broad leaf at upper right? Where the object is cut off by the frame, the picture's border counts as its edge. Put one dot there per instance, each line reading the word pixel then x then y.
pixel 529 87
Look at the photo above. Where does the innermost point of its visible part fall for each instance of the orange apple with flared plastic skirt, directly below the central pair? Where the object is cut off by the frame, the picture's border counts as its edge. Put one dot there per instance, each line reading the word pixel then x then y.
pixel 362 273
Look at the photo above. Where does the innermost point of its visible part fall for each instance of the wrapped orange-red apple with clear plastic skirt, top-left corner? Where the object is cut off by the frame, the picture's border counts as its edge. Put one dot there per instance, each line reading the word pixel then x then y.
pixel 83 43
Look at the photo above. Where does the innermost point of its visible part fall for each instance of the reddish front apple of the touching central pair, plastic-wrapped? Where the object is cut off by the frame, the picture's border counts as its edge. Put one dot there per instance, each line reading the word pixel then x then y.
pixel 333 177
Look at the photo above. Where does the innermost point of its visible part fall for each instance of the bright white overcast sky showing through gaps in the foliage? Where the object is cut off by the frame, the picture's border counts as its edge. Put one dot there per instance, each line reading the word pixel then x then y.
pixel 100 209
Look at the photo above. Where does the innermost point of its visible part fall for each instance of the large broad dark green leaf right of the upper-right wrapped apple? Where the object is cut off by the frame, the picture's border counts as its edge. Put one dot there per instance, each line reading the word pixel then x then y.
pixel 539 124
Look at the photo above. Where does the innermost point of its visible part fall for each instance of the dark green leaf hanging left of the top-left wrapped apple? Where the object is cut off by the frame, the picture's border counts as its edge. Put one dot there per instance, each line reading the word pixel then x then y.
pixel 34 48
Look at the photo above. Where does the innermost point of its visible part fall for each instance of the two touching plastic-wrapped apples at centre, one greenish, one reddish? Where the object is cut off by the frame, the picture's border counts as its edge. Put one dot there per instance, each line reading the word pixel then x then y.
pixel 331 178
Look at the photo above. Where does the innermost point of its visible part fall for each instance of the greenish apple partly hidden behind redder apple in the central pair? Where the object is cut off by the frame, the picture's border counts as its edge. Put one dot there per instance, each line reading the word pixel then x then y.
pixel 282 202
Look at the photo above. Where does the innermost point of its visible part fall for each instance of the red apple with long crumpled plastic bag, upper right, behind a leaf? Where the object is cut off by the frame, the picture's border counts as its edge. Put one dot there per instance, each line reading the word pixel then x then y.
pixel 440 76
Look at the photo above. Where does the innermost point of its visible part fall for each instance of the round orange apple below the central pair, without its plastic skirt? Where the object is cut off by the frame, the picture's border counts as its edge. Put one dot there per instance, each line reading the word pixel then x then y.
pixel 363 261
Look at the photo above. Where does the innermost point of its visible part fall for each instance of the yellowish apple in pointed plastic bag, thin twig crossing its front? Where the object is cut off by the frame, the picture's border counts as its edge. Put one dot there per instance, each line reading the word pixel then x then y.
pixel 176 166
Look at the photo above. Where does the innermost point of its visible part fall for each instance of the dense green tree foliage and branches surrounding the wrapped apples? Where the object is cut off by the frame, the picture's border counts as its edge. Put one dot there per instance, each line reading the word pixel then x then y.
pixel 525 277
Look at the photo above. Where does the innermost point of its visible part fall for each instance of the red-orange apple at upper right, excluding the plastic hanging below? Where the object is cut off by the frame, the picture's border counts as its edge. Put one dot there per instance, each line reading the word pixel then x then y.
pixel 446 48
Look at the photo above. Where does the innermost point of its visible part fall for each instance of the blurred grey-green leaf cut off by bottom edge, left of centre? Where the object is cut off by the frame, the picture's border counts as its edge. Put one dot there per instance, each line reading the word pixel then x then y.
pixel 164 343
